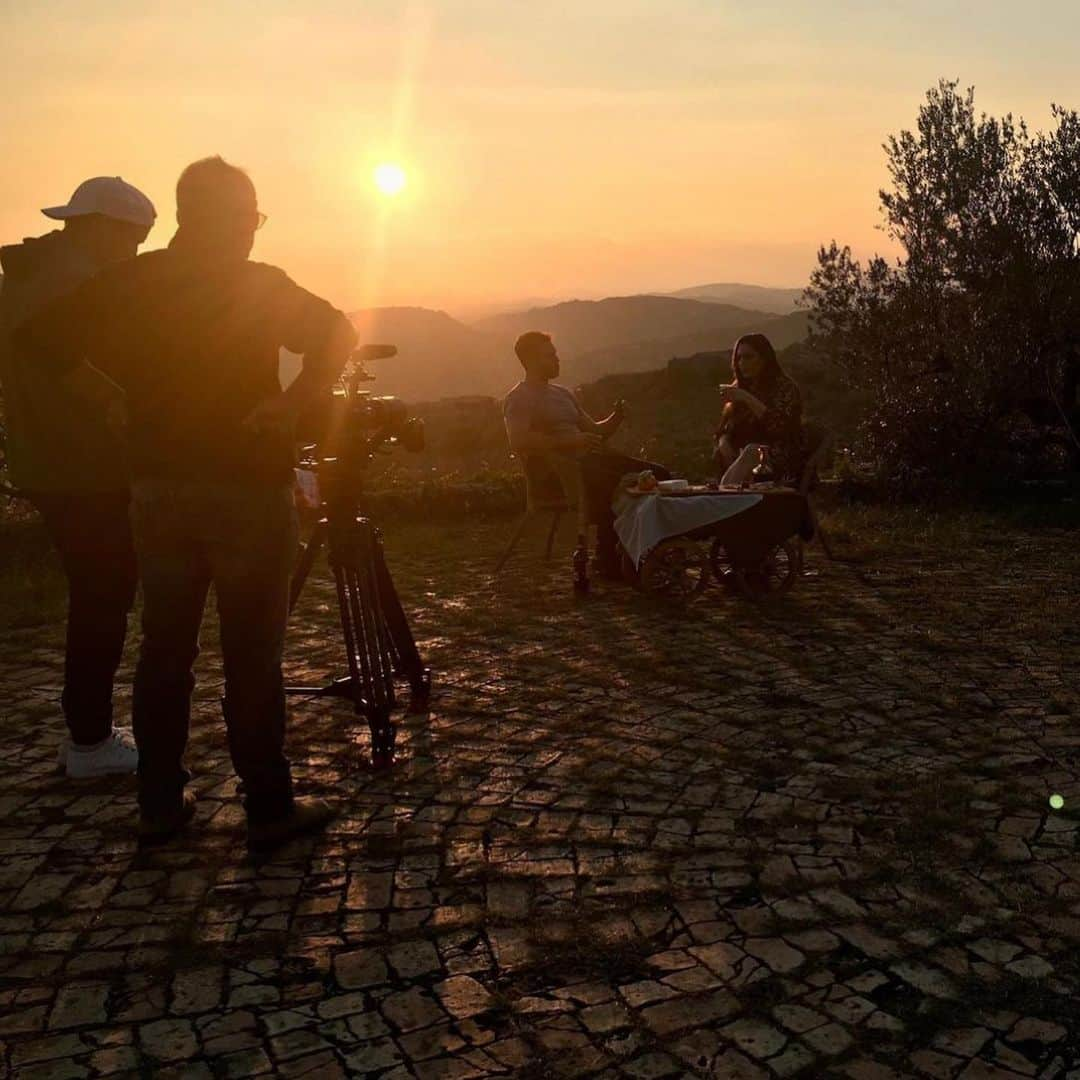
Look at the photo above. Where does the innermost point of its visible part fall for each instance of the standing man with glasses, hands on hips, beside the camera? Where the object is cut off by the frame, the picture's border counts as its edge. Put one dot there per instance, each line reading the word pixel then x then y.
pixel 192 336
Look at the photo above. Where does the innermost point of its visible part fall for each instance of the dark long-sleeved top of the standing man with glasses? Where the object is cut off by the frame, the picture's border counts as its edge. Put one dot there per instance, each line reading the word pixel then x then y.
pixel 194 341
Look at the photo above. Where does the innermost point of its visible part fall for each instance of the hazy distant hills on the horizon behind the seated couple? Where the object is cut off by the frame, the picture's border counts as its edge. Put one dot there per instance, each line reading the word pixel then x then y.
pixel 441 357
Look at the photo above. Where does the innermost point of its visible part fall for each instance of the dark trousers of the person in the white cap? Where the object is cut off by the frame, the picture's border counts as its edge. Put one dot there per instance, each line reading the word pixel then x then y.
pixel 92 534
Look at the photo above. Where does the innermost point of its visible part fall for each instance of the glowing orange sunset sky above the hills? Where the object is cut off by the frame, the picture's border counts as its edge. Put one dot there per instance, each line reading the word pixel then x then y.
pixel 550 150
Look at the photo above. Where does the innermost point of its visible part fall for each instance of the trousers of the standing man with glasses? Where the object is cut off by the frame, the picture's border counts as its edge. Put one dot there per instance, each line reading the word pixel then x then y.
pixel 241 538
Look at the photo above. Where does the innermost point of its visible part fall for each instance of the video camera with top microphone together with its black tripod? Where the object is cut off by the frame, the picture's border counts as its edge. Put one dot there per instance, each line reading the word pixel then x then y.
pixel 345 437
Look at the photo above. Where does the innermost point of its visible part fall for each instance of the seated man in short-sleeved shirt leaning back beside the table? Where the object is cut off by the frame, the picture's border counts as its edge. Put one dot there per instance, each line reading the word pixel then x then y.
pixel 544 417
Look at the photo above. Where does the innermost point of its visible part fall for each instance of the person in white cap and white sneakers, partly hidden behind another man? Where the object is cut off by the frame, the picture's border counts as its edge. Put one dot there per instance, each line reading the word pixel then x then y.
pixel 70 462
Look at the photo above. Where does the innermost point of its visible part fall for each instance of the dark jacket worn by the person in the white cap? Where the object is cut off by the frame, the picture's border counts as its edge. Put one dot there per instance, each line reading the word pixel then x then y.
pixel 55 443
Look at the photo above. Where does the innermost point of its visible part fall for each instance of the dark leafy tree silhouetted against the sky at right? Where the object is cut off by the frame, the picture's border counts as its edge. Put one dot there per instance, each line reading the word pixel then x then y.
pixel 970 342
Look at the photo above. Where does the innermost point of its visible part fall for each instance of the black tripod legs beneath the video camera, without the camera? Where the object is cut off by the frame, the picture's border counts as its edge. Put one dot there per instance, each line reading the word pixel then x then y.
pixel 379 642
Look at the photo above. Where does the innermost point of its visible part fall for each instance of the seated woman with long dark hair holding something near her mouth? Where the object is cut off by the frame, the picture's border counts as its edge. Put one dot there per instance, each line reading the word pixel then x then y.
pixel 761 406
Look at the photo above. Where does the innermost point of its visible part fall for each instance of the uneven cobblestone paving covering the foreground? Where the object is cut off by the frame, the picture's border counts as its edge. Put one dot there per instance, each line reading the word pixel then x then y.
pixel 809 841
